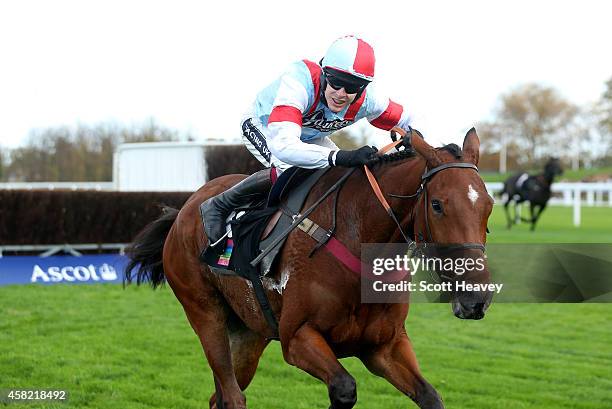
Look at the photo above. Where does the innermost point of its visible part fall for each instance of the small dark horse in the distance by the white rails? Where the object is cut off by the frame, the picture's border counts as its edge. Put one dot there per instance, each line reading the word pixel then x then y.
pixel 534 189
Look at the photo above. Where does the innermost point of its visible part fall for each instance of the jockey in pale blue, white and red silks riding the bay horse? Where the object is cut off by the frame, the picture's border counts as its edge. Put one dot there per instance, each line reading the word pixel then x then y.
pixel 290 122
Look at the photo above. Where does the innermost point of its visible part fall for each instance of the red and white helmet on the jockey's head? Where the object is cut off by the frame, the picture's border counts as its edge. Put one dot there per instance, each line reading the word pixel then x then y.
pixel 351 55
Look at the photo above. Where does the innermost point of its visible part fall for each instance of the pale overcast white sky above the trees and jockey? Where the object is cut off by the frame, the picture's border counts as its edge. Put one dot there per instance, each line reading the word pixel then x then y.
pixel 196 66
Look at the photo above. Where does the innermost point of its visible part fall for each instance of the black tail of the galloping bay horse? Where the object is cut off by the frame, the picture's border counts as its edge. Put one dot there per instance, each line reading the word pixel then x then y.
pixel 145 252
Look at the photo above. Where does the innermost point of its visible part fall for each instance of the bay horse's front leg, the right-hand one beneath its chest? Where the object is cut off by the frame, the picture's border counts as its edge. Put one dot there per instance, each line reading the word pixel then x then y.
pixel 397 363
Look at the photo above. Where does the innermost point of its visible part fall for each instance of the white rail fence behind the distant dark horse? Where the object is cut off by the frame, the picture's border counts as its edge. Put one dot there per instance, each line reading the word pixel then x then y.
pixel 570 194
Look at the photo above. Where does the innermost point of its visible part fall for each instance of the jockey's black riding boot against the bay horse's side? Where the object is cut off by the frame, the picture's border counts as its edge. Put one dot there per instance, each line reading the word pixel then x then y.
pixel 215 210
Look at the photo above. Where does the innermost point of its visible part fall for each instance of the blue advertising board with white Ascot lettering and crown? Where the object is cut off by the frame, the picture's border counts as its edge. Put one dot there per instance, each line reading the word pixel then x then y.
pixel 87 269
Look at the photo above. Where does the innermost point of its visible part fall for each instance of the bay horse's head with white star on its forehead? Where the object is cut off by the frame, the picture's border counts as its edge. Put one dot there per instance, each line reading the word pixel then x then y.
pixel 452 213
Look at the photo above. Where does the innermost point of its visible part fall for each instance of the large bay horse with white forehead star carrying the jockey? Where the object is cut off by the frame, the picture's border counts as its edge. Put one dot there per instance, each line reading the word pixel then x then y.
pixel 316 299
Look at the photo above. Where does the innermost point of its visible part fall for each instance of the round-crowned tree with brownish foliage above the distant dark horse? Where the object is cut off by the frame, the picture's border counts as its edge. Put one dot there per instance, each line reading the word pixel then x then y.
pixel 534 119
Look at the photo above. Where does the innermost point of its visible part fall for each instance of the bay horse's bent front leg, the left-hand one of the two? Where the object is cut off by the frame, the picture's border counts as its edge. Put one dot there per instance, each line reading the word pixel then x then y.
pixel 309 351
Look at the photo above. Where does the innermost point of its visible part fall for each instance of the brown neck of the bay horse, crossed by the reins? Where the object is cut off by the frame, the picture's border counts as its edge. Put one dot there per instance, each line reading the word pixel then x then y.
pixel 403 179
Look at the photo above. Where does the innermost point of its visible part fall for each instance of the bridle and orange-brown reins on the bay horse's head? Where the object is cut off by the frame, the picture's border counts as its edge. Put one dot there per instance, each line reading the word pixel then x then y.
pixel 425 178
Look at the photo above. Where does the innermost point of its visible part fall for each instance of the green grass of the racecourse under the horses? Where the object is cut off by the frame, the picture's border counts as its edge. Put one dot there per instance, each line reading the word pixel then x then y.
pixel 133 348
